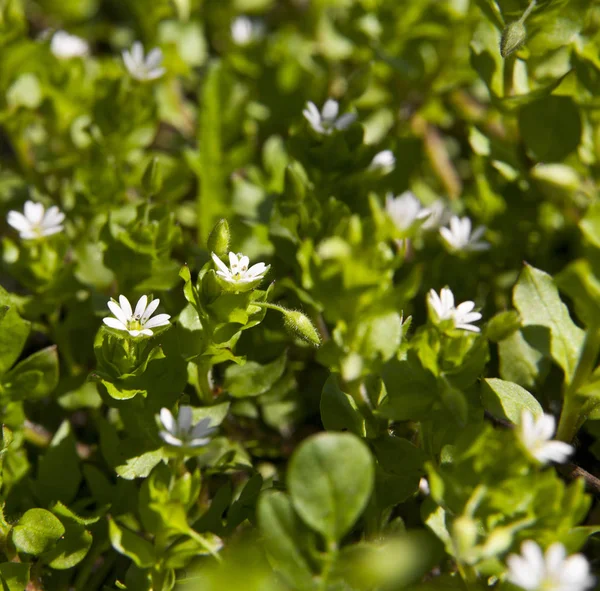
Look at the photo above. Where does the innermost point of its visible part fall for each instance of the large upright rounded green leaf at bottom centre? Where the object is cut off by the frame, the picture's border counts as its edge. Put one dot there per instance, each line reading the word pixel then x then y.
pixel 330 480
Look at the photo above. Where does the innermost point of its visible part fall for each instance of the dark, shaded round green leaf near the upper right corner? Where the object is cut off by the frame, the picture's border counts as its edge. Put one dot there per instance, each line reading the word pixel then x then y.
pixel 551 127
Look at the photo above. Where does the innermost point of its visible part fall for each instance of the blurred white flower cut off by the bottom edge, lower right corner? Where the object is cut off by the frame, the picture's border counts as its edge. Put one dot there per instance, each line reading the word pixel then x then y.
pixel 534 571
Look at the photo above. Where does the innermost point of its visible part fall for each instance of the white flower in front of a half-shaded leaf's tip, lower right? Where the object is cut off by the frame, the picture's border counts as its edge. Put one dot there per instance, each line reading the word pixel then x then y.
pixel 536 434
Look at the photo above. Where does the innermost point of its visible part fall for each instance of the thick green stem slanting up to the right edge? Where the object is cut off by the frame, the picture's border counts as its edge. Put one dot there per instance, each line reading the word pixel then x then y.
pixel 573 412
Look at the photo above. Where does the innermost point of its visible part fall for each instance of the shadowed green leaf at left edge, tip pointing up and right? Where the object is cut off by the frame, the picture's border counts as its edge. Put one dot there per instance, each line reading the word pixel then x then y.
pixel 34 377
